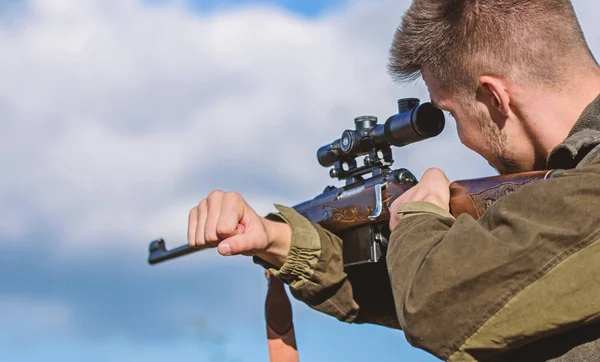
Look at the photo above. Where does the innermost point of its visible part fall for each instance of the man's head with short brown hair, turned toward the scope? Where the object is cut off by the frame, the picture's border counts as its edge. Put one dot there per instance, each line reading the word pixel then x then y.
pixel 482 59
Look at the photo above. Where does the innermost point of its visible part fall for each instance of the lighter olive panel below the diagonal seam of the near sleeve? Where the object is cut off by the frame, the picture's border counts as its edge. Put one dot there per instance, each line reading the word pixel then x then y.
pixel 552 303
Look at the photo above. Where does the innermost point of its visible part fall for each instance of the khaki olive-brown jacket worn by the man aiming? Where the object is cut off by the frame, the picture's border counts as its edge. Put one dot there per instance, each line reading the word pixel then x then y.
pixel 522 283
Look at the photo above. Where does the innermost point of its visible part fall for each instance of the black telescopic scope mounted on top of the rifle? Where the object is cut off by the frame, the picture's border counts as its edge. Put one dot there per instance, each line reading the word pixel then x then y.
pixel 414 122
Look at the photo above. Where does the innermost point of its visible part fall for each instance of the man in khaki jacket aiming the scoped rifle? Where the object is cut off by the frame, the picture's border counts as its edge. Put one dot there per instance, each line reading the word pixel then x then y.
pixel 521 283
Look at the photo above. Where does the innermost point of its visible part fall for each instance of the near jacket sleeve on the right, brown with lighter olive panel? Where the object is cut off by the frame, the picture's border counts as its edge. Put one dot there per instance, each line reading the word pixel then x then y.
pixel 491 283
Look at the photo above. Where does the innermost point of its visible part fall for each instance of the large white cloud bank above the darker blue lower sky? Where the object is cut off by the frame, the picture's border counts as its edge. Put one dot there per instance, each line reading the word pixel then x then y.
pixel 110 107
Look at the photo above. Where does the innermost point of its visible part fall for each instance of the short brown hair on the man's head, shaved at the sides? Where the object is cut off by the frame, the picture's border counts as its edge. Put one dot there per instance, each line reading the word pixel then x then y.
pixel 459 40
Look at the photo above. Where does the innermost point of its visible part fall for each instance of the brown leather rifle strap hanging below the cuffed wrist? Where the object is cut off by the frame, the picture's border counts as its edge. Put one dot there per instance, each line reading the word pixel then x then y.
pixel 280 328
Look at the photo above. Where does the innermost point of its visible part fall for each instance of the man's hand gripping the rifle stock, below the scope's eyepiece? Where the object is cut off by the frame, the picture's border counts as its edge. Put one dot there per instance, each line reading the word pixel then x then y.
pixel 434 187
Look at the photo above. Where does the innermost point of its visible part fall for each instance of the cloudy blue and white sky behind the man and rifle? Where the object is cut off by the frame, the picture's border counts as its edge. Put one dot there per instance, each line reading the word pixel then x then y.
pixel 118 116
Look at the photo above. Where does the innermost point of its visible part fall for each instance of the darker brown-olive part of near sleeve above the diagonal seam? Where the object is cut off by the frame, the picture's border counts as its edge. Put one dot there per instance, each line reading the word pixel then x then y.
pixel 450 279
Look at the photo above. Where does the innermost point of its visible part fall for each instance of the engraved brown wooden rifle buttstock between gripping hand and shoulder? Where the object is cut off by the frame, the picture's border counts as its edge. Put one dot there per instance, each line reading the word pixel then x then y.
pixel 475 196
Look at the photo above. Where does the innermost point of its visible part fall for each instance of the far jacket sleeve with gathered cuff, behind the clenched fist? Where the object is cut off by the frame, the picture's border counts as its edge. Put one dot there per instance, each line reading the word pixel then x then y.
pixel 315 273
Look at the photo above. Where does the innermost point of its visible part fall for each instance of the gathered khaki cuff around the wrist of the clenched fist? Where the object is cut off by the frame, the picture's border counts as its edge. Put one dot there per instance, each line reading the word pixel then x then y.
pixel 305 248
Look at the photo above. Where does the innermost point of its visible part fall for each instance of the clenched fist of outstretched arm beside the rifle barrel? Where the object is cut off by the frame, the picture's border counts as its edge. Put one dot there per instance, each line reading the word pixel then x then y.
pixel 224 220
